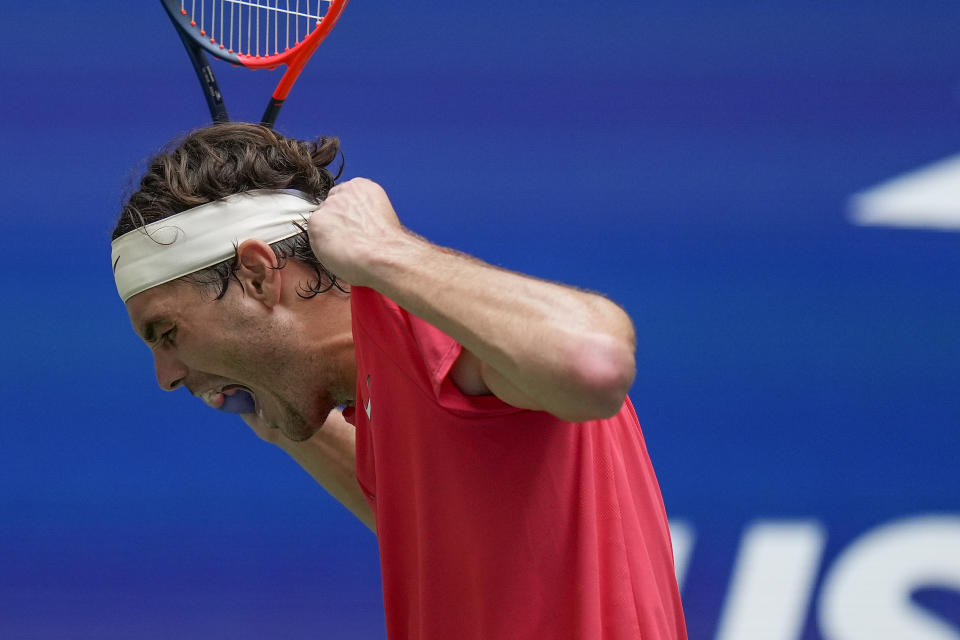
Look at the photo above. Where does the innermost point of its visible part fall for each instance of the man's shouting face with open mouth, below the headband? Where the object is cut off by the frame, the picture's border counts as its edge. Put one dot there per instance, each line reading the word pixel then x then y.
pixel 295 358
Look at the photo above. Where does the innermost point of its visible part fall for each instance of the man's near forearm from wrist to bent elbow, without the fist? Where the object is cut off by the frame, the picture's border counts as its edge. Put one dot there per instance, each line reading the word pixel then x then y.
pixel 570 350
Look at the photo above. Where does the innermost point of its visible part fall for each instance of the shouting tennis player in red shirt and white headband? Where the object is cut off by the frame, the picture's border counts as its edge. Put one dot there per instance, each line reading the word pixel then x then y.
pixel 486 436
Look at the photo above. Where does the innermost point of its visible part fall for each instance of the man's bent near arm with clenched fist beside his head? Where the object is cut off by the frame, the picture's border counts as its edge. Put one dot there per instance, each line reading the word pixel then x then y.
pixel 534 344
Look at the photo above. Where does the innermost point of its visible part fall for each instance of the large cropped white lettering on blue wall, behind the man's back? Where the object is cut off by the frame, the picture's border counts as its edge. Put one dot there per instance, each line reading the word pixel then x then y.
pixel 866 591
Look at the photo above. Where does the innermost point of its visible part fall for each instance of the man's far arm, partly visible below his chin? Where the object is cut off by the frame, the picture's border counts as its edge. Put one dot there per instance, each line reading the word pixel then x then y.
pixel 329 456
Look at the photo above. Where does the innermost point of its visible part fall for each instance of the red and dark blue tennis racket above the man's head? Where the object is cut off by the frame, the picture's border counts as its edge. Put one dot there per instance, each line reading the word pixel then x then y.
pixel 256 34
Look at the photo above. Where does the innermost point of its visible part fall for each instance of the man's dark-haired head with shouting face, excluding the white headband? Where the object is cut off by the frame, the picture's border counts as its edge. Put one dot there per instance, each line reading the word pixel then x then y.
pixel 269 334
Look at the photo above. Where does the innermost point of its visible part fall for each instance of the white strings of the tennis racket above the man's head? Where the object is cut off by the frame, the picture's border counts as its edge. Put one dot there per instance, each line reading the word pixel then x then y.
pixel 269 27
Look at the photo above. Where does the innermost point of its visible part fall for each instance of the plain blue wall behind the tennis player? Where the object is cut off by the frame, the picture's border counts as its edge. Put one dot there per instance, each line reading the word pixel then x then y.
pixel 692 162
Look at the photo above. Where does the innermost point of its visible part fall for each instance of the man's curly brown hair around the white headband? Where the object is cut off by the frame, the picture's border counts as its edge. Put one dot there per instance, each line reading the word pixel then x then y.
pixel 228 158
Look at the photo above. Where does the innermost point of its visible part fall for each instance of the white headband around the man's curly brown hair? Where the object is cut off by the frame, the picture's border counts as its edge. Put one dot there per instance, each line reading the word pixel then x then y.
pixel 204 236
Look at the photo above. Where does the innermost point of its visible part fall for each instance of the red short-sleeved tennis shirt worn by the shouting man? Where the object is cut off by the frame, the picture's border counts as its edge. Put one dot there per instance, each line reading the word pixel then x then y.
pixel 497 523
